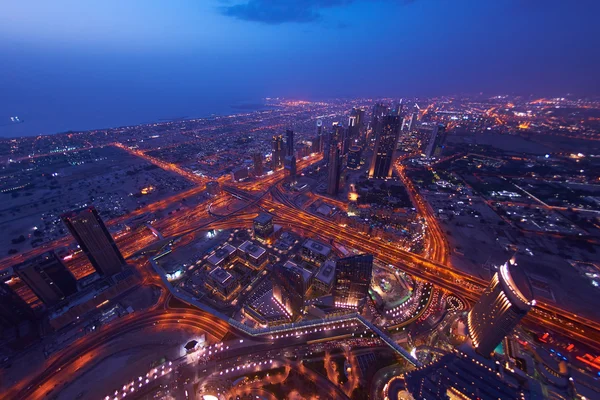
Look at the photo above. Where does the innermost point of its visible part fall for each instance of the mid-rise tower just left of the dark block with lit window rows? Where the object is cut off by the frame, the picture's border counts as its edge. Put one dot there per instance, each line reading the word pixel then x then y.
pixel 290 284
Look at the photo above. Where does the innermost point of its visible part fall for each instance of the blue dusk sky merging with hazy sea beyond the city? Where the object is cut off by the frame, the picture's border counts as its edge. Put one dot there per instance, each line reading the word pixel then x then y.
pixel 73 64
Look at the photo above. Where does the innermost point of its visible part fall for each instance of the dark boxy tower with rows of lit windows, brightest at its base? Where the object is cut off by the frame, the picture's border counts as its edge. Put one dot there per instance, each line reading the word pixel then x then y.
pixel 352 280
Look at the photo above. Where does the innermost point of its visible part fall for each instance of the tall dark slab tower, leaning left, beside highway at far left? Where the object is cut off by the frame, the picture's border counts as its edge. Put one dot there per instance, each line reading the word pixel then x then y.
pixel 92 236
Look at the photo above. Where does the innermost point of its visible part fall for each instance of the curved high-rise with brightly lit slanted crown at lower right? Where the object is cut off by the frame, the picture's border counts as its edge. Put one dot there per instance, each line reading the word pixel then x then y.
pixel 505 301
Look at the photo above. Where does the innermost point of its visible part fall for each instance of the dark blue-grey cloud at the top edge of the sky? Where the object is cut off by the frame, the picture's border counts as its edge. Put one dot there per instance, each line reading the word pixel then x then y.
pixel 275 12
